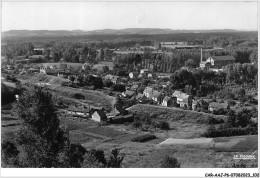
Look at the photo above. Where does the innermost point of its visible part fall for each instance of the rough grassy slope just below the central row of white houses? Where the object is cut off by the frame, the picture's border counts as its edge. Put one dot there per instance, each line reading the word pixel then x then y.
pixel 183 123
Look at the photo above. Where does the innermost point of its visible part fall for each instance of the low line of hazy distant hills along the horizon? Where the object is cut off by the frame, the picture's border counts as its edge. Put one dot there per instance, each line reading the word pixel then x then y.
pixel 126 31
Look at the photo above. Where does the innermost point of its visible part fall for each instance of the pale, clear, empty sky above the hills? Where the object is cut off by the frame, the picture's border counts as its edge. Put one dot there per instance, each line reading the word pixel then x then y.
pixel 118 15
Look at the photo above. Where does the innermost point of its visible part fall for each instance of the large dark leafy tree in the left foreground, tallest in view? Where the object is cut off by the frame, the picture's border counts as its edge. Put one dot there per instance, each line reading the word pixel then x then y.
pixel 42 140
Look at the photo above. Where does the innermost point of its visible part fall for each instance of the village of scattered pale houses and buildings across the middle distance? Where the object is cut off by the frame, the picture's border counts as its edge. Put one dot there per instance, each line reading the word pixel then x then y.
pixel 133 90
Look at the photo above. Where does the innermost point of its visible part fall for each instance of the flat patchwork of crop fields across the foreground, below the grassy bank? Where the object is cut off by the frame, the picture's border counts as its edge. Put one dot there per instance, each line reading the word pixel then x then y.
pixel 149 154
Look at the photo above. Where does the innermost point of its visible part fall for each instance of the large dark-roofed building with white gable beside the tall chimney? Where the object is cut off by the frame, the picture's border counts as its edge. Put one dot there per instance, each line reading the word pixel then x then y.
pixel 220 61
